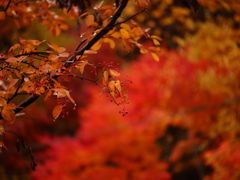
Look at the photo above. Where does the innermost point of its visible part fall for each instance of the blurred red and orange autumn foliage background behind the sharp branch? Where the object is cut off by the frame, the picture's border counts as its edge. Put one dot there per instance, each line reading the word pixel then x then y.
pixel 183 120
